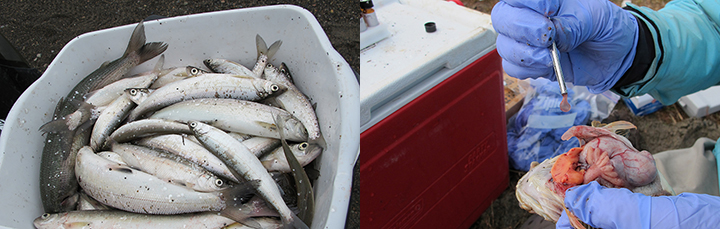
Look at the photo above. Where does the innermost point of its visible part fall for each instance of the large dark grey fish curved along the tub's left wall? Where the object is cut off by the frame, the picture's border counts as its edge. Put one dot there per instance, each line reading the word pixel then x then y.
pixel 57 151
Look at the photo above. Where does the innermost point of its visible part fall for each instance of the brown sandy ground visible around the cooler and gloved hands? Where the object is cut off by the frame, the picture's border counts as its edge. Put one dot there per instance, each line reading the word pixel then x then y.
pixel 667 129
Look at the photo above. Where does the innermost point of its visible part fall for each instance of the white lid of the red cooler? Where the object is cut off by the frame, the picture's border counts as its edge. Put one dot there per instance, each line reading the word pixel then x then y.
pixel 410 61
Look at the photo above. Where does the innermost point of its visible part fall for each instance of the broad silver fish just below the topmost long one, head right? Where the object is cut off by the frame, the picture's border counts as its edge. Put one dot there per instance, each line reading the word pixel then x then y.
pixel 236 116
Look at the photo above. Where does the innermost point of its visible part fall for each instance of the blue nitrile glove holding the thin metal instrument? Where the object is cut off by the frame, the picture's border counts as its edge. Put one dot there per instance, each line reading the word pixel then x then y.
pixel 596 39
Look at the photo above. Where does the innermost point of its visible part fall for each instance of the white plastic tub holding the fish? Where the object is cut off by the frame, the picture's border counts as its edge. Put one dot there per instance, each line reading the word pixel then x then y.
pixel 319 71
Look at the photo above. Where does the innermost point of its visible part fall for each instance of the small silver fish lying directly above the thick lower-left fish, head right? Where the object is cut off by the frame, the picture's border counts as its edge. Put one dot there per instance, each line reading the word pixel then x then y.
pixel 169 167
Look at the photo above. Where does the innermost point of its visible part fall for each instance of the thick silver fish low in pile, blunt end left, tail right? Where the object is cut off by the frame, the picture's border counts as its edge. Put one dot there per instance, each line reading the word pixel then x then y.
pixel 132 190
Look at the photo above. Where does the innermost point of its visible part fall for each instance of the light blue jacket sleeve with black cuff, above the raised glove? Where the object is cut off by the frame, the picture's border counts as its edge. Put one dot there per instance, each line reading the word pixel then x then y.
pixel 687 50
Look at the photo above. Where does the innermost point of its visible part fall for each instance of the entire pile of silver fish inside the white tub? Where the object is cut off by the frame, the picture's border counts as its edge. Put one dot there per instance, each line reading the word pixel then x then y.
pixel 180 147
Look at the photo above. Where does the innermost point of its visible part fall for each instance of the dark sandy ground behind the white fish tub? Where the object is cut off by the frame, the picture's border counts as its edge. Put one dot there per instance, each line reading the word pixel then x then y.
pixel 40 29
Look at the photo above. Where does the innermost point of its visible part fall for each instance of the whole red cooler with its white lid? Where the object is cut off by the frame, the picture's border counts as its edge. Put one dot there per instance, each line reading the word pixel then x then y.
pixel 433 148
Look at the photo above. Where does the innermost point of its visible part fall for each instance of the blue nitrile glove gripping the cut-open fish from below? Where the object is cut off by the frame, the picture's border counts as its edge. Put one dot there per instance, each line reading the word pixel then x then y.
pixel 602 207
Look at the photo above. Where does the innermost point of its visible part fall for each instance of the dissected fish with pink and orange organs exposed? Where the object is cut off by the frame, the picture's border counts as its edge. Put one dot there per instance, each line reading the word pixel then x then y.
pixel 603 156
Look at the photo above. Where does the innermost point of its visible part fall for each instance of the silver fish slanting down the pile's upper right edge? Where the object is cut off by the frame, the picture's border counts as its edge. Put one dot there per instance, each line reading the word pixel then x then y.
pixel 293 100
